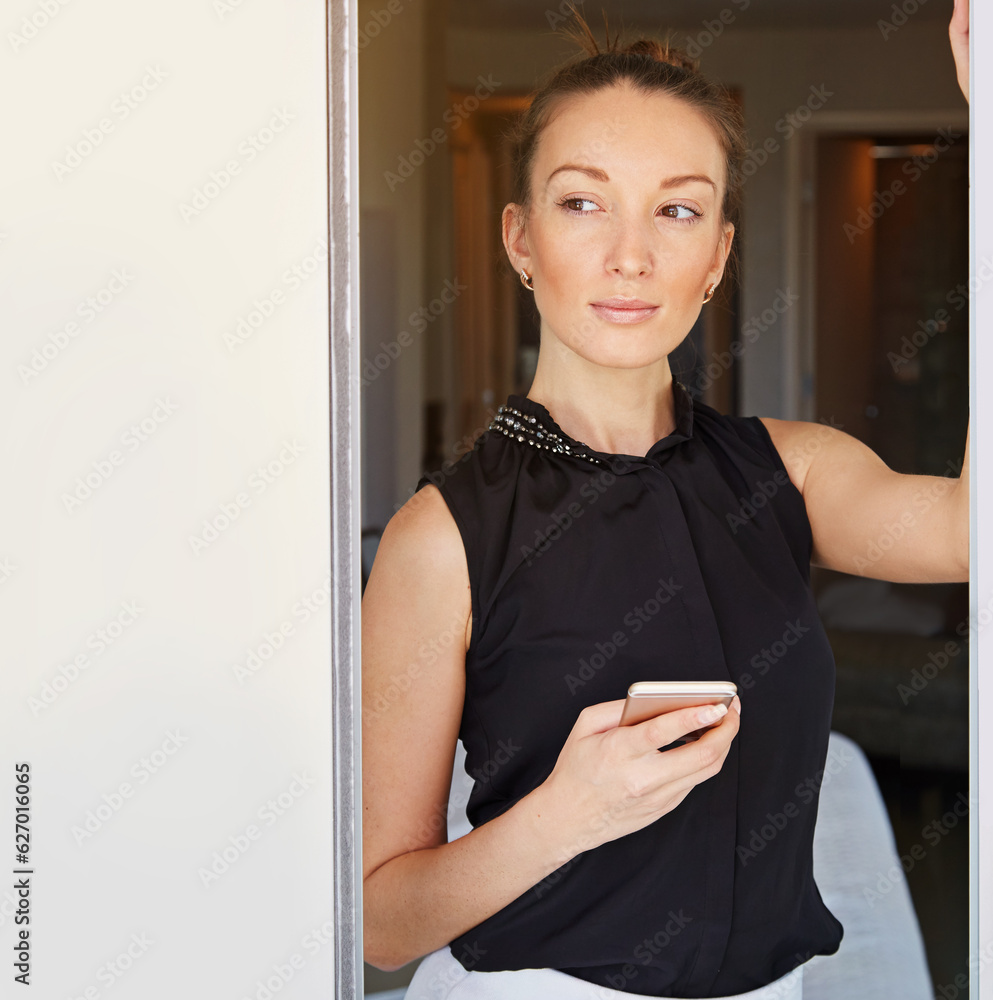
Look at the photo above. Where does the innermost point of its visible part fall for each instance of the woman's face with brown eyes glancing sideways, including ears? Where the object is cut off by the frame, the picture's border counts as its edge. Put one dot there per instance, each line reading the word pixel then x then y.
pixel 624 234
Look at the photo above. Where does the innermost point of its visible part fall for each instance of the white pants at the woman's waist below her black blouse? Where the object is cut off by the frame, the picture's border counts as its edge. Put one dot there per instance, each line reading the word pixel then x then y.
pixel 440 976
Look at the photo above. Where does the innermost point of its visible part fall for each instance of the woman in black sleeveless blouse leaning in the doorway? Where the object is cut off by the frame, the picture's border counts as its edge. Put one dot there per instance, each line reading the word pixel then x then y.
pixel 597 535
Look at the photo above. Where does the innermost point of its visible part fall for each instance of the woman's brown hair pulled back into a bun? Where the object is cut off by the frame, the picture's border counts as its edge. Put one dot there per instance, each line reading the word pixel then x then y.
pixel 651 66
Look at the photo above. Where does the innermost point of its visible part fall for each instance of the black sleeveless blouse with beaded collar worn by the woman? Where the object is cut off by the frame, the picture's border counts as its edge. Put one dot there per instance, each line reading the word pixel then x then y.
pixel 590 571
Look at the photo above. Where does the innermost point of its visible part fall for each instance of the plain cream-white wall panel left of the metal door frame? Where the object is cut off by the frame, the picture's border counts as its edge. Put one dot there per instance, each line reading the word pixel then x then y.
pixel 165 494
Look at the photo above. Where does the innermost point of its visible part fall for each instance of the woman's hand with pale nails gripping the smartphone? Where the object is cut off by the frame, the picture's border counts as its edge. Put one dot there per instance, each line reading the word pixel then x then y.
pixel 611 780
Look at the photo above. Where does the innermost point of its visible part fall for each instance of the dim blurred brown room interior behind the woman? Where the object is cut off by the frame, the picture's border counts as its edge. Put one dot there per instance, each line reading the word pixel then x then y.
pixel 852 307
